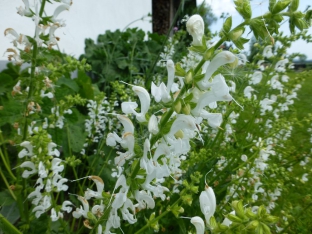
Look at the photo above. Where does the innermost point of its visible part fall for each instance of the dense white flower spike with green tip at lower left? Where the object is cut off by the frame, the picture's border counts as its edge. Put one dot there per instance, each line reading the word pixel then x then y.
pixel 44 162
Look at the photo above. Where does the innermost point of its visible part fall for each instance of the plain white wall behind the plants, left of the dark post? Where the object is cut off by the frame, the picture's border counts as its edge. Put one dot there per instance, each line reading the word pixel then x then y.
pixel 85 19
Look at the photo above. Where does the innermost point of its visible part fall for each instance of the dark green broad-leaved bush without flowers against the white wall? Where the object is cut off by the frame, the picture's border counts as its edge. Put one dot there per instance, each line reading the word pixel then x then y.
pixel 122 56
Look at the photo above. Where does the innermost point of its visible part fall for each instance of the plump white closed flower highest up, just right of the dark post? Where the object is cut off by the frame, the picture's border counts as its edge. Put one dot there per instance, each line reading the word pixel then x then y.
pixel 195 27
